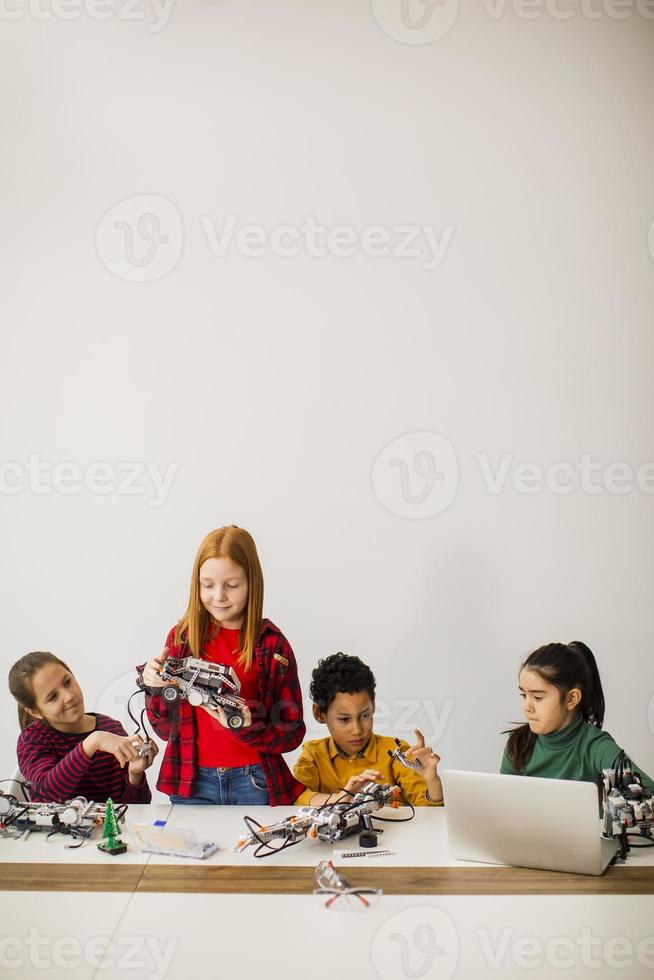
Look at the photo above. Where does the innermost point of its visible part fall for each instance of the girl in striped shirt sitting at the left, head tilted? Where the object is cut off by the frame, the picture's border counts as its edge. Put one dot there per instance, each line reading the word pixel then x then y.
pixel 64 751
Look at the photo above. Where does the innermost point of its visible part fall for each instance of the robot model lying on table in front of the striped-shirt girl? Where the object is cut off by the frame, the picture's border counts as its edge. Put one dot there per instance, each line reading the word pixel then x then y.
pixel 77 817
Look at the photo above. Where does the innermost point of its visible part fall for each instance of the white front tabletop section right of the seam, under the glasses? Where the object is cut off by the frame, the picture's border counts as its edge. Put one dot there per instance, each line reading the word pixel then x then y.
pixel 201 937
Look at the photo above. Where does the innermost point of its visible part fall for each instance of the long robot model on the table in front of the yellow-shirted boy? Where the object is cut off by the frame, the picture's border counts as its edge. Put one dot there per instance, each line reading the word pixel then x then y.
pixel 329 822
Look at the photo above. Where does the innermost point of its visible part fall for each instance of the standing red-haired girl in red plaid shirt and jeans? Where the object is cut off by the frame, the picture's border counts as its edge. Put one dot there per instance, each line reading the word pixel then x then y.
pixel 206 761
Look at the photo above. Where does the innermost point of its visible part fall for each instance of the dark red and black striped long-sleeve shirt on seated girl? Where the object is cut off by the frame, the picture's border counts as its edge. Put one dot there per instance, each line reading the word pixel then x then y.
pixel 57 767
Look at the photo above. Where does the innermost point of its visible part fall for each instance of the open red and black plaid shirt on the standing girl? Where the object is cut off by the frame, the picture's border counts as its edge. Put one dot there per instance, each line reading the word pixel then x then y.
pixel 277 727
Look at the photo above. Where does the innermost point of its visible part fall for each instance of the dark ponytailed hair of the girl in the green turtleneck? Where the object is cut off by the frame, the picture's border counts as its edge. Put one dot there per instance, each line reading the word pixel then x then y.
pixel 566 666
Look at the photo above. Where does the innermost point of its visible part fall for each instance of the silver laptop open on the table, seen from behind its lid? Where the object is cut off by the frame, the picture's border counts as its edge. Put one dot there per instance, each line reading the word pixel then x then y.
pixel 525 821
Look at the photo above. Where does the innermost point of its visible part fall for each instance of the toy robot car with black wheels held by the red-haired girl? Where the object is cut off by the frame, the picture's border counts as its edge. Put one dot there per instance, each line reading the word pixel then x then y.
pixel 202 682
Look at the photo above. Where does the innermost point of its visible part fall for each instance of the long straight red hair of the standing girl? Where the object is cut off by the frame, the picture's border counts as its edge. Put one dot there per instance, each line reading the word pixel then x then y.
pixel 196 625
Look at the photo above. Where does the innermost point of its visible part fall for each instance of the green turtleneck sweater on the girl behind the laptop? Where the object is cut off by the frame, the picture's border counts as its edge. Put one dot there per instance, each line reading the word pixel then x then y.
pixel 579 751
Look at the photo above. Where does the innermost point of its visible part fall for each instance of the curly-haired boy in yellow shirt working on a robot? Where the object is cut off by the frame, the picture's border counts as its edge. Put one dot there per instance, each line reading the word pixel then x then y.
pixel 343 693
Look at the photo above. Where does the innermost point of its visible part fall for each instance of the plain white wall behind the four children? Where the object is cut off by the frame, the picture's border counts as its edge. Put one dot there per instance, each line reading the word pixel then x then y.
pixel 273 383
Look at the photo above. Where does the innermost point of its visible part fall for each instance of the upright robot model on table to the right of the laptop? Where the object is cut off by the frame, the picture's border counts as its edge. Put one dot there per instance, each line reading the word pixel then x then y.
pixel 627 806
